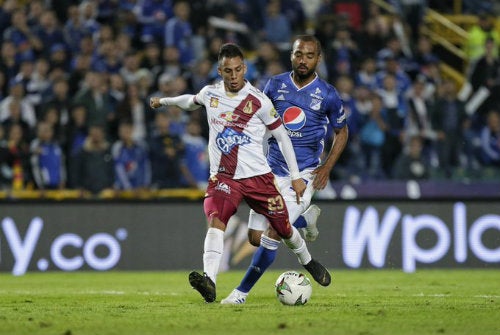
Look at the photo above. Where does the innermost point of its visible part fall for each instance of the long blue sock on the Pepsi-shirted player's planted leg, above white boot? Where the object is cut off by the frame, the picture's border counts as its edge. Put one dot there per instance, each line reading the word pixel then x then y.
pixel 262 259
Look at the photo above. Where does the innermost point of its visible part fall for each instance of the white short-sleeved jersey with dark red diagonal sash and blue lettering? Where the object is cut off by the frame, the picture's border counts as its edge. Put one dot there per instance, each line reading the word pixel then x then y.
pixel 238 124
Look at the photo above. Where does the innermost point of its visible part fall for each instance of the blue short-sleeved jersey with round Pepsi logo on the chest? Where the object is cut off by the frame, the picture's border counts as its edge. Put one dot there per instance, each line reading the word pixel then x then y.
pixel 307 113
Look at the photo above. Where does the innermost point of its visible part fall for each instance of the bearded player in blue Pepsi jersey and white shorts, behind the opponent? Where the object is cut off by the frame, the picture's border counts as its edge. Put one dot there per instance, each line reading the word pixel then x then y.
pixel 309 107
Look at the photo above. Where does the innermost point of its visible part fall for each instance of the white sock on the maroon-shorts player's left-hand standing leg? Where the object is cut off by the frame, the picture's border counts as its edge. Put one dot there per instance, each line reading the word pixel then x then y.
pixel 212 252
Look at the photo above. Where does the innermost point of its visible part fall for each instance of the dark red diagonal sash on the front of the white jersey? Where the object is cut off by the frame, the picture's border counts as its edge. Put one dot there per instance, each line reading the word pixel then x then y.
pixel 245 110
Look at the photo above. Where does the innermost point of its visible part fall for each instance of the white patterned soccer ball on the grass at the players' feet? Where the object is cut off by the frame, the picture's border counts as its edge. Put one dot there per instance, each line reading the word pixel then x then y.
pixel 293 288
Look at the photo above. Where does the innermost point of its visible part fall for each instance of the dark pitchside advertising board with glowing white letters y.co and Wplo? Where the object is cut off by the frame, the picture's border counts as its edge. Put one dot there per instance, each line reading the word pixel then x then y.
pixel 101 236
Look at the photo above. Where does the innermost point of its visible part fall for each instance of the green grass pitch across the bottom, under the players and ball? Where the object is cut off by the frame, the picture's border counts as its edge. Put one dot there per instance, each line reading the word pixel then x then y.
pixel 359 302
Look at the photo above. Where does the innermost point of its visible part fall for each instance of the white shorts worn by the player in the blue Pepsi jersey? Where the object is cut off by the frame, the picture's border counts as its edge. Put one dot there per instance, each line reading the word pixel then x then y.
pixel 258 221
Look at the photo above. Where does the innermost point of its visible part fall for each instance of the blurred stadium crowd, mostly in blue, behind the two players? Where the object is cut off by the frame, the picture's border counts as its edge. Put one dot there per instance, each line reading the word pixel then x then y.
pixel 76 77
